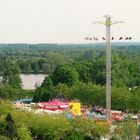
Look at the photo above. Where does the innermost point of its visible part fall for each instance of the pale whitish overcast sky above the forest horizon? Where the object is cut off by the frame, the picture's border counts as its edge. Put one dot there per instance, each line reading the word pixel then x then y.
pixel 66 21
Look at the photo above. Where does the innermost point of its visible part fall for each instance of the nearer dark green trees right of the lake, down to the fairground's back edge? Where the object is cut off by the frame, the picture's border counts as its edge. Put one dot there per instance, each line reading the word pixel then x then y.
pixel 86 81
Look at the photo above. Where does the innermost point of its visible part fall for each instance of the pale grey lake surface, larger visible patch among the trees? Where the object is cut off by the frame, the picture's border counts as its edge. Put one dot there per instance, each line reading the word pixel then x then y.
pixel 30 80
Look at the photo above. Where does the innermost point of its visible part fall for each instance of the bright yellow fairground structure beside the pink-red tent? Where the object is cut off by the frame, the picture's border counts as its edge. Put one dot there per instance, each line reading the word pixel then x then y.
pixel 75 108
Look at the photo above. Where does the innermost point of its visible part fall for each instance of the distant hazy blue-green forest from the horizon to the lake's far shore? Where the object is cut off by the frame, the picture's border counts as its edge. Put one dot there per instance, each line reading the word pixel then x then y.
pixel 44 58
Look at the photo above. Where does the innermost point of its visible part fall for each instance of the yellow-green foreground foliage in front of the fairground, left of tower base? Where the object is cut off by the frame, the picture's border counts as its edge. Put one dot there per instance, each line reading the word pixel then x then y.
pixel 56 127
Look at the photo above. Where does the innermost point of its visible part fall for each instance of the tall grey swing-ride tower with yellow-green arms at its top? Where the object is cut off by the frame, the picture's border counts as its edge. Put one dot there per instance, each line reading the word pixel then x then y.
pixel 108 23
